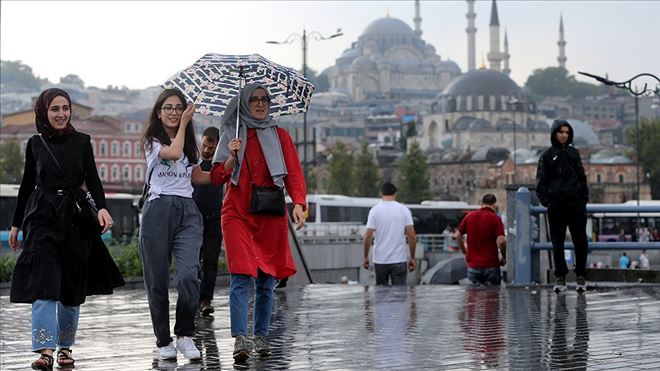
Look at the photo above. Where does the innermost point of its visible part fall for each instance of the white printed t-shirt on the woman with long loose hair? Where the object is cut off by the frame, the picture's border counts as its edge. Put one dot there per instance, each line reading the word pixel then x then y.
pixel 169 177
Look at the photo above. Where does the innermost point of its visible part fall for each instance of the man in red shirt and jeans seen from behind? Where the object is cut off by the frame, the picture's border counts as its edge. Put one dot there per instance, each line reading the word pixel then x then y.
pixel 485 233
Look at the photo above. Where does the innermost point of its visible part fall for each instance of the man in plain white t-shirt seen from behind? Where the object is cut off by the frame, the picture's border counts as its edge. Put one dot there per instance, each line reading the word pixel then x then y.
pixel 392 223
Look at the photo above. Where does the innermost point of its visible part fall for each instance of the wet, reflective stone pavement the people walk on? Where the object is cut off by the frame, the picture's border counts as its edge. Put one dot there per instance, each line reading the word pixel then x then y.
pixel 352 327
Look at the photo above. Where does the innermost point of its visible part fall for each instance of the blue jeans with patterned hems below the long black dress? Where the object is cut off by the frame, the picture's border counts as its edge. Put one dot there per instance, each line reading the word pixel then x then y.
pixel 53 325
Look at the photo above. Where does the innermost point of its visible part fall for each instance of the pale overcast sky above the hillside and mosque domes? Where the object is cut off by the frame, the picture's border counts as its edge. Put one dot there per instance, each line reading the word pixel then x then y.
pixel 142 43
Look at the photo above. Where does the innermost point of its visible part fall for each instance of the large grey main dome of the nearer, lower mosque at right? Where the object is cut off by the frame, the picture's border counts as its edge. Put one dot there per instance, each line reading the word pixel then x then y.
pixel 482 82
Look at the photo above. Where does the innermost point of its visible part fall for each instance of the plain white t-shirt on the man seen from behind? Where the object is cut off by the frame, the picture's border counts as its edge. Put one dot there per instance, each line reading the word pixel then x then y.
pixel 389 219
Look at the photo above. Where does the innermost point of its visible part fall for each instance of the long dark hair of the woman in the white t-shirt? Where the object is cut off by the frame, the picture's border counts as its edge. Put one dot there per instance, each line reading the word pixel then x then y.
pixel 155 129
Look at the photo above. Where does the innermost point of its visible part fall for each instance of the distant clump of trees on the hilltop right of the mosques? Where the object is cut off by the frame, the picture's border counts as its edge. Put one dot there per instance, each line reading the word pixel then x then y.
pixel 556 82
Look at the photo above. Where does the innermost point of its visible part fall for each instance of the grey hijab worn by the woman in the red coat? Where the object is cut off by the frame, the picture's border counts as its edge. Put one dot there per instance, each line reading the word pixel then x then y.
pixel 266 134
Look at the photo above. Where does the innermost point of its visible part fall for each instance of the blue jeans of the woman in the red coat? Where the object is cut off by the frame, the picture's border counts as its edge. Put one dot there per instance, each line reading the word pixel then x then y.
pixel 239 291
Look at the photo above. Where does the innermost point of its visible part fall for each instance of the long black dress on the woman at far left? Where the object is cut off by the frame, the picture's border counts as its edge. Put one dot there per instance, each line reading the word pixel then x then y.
pixel 60 260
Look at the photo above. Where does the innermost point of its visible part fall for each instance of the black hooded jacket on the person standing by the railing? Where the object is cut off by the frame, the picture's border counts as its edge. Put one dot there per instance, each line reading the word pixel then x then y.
pixel 560 175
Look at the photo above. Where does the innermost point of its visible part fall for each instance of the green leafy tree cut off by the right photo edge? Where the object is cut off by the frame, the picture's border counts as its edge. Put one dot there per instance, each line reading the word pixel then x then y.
pixel 649 151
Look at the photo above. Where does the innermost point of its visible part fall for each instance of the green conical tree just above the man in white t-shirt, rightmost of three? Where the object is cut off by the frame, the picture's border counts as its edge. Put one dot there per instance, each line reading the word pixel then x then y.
pixel 413 180
